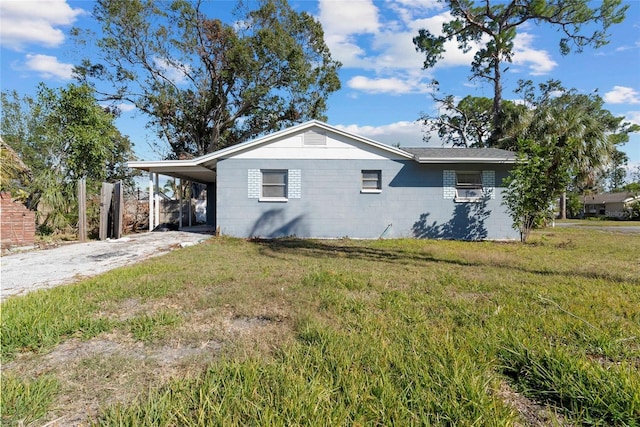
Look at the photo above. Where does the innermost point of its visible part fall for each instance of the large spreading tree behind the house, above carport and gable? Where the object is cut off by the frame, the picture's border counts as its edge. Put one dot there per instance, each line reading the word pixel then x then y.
pixel 205 84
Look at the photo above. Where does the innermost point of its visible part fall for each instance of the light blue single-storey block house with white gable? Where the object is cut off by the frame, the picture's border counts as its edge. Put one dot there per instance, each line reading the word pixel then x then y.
pixel 315 180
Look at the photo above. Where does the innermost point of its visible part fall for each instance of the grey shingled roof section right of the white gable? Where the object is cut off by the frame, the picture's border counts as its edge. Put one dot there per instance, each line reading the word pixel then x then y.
pixel 461 155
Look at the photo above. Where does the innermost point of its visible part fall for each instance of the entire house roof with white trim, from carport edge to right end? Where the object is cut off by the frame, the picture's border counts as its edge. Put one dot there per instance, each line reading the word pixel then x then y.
pixel 203 168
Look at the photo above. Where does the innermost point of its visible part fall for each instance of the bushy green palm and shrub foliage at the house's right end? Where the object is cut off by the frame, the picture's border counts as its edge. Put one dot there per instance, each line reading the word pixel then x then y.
pixel 564 137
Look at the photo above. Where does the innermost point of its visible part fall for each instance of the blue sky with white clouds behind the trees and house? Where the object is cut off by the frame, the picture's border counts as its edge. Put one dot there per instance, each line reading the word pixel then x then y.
pixel 385 89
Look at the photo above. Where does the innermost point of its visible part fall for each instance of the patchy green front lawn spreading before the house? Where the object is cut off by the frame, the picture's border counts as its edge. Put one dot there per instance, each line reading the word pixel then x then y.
pixel 386 332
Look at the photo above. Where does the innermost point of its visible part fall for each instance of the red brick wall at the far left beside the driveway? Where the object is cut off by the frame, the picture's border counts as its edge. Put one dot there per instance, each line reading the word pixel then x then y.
pixel 17 223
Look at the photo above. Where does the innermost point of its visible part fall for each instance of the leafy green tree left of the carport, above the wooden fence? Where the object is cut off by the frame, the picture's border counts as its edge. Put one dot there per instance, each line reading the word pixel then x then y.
pixel 61 136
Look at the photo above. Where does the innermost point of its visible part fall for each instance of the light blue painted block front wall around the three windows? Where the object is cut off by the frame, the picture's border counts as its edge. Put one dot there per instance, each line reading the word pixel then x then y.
pixel 331 204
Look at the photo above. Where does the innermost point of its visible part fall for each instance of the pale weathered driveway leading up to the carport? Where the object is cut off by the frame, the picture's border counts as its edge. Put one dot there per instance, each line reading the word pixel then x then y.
pixel 27 271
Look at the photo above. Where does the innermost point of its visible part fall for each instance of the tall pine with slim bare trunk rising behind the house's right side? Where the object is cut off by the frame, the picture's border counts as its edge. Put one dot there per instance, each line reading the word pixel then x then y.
pixel 495 26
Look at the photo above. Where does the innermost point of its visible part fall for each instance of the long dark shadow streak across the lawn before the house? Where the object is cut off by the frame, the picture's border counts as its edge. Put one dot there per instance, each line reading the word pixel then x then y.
pixel 320 249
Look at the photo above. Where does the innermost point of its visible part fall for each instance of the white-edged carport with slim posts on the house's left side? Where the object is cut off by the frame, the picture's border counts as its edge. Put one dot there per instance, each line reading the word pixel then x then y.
pixel 200 170
